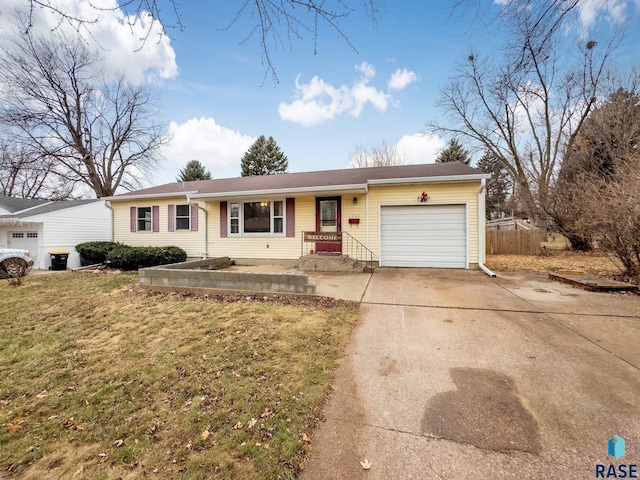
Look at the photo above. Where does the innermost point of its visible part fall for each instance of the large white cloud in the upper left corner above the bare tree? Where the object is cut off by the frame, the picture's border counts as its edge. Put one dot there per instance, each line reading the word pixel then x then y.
pixel 116 36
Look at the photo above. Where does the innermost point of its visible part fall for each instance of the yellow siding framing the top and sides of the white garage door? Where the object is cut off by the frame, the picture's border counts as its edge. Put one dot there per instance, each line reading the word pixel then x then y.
pixel 461 193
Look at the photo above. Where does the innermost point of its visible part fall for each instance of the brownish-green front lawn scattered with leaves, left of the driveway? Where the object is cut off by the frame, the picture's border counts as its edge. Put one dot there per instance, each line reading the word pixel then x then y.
pixel 99 379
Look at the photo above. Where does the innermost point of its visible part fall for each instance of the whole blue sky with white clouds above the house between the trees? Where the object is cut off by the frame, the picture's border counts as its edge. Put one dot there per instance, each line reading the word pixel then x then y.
pixel 216 99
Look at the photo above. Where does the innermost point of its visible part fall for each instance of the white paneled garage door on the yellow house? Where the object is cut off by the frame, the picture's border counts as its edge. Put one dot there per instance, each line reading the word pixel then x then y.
pixel 423 236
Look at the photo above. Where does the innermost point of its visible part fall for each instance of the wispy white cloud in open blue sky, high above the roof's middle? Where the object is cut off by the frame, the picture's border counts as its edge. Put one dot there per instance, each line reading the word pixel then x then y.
pixel 318 101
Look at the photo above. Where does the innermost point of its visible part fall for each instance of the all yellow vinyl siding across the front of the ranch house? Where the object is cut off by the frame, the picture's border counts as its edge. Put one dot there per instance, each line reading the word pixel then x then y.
pixel 282 247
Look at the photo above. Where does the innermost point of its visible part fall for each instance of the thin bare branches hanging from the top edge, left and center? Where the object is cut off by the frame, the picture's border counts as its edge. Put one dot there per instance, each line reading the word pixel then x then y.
pixel 274 23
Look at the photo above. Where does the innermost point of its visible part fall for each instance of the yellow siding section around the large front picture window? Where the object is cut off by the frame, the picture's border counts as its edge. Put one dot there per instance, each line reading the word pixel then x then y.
pixel 261 246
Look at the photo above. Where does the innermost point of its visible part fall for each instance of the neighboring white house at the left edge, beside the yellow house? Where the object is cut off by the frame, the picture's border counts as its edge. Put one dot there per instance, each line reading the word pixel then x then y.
pixel 43 226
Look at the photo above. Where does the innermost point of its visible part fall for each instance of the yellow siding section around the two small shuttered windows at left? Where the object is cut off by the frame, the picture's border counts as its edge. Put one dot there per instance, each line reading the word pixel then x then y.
pixel 191 242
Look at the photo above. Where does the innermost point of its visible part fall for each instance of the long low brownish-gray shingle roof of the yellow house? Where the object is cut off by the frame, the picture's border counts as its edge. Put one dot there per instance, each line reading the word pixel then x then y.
pixel 312 180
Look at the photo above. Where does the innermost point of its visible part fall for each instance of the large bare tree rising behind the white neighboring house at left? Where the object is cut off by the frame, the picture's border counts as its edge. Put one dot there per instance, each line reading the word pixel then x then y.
pixel 101 133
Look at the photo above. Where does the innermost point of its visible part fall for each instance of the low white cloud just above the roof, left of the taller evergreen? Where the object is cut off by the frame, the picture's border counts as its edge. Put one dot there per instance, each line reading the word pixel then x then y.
pixel 218 148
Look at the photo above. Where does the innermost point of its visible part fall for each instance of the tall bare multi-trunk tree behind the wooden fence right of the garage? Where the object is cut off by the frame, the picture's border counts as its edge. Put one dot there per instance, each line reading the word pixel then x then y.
pixel 527 107
